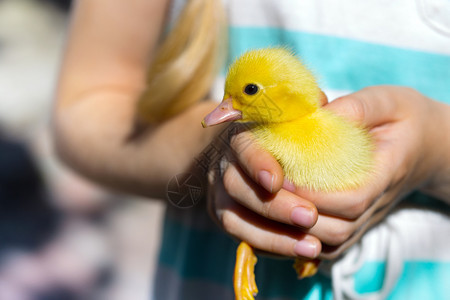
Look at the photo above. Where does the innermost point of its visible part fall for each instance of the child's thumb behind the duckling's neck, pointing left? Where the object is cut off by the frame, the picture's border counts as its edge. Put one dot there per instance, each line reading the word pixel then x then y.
pixel 369 107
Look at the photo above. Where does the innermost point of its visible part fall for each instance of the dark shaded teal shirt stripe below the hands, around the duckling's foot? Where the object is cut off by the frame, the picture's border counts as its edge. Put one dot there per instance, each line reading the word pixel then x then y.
pixel 209 255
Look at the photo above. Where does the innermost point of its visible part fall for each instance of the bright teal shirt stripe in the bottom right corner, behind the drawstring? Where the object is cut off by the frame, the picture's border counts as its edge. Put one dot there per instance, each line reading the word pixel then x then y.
pixel 419 280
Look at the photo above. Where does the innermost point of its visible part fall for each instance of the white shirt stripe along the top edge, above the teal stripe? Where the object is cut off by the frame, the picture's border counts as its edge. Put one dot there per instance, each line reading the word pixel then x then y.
pixel 400 23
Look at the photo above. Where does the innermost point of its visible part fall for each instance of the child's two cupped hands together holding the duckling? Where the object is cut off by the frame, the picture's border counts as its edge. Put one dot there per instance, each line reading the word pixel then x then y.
pixel 412 151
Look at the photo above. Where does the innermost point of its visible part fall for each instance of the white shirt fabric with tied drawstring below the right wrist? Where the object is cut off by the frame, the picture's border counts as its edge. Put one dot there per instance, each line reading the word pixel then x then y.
pixel 406 234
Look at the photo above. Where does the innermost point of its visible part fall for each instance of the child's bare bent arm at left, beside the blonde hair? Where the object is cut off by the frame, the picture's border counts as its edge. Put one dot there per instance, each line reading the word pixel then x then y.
pixel 103 73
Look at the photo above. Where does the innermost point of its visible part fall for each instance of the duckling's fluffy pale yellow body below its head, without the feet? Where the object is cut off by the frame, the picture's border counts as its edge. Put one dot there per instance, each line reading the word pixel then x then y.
pixel 321 154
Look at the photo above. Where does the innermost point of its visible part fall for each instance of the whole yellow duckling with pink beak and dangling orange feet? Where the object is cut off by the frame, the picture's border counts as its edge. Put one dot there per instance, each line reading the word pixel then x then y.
pixel 318 150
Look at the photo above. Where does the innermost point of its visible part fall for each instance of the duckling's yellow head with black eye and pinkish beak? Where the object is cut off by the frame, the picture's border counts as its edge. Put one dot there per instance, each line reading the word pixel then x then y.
pixel 266 86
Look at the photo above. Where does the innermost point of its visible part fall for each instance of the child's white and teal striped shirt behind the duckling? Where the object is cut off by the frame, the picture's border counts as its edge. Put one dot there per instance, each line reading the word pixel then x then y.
pixel 349 45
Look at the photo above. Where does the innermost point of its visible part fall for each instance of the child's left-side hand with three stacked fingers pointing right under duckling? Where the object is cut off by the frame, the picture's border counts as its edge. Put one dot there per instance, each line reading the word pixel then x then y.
pixel 273 222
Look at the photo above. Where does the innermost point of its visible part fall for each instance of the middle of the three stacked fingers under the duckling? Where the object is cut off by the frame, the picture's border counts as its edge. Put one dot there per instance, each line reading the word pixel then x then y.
pixel 283 206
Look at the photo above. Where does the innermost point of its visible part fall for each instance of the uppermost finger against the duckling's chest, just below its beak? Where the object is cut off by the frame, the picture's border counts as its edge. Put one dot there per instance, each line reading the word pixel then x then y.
pixel 259 164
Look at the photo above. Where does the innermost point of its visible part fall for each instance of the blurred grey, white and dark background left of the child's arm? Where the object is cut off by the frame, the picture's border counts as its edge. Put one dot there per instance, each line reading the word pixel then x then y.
pixel 61 236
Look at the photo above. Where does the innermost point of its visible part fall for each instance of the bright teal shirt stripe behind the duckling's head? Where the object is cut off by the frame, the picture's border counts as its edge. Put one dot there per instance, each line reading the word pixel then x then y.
pixel 345 64
